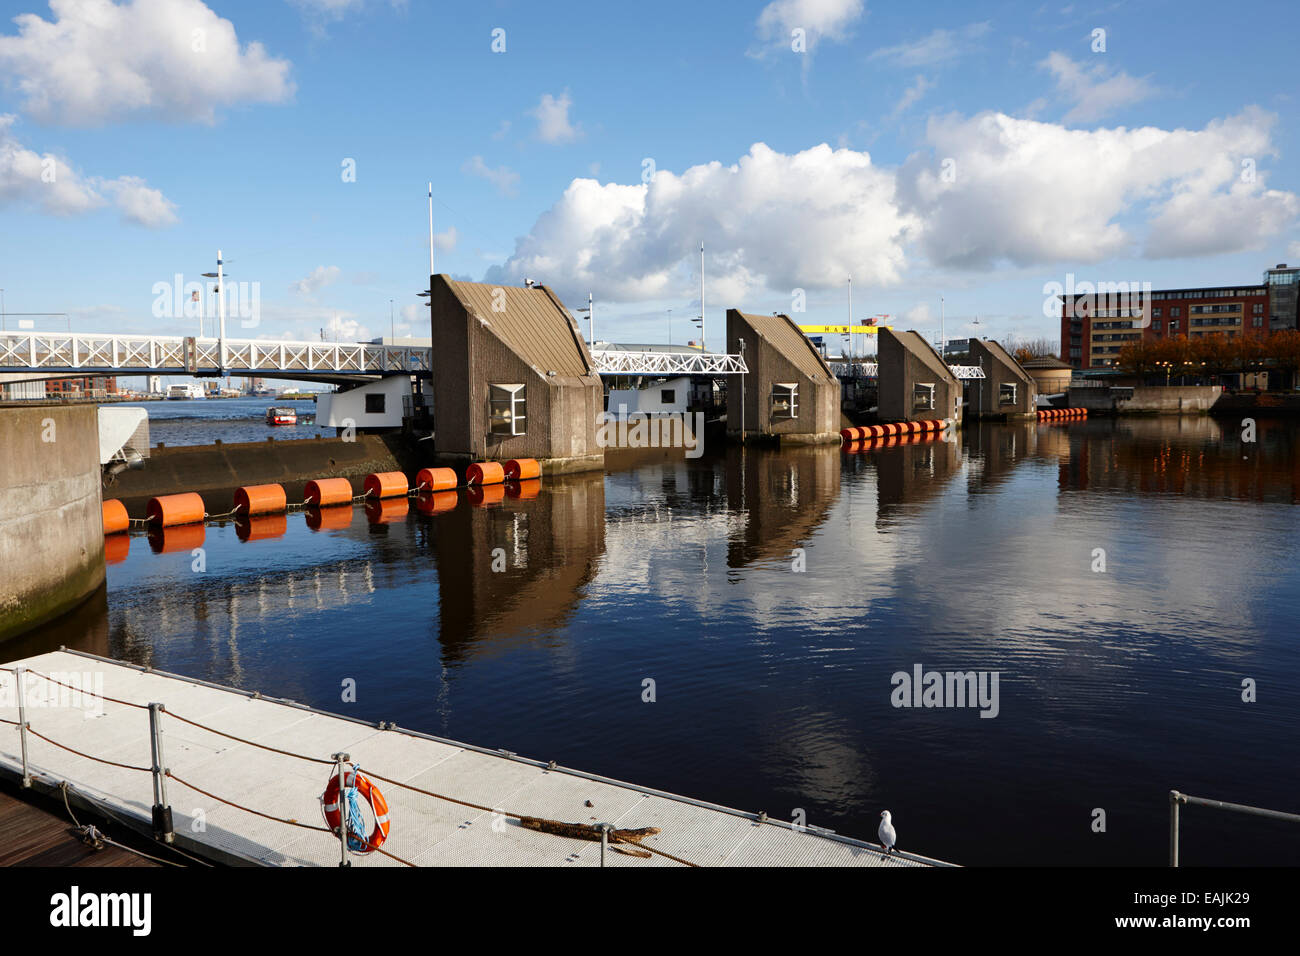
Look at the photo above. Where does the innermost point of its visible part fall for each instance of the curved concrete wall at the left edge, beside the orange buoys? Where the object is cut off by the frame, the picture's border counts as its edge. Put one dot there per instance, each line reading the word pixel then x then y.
pixel 51 526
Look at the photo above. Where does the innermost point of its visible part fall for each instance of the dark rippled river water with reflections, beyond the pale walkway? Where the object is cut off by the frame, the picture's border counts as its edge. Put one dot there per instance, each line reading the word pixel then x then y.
pixel 774 686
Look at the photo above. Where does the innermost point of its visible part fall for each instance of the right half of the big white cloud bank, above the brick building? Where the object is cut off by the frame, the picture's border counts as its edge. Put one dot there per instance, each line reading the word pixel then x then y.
pixel 1026 192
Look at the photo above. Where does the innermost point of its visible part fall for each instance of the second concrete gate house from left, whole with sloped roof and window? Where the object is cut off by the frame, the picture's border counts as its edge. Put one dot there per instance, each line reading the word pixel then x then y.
pixel 790 392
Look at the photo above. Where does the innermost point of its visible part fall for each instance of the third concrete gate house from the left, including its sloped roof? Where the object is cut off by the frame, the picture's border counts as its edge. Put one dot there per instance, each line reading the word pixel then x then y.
pixel 916 384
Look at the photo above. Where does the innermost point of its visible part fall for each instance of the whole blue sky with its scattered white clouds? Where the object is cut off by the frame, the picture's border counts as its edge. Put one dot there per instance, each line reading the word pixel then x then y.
pixel 1165 157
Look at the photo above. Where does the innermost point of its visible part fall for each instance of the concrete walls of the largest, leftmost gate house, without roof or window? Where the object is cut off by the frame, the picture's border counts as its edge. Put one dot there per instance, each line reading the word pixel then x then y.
pixel 562 412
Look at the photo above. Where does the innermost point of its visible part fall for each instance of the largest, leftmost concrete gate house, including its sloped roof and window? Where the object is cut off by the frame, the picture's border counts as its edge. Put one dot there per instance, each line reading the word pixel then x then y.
pixel 512 378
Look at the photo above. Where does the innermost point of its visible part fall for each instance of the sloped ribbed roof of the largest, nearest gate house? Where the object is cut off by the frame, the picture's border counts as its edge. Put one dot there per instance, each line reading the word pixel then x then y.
pixel 532 322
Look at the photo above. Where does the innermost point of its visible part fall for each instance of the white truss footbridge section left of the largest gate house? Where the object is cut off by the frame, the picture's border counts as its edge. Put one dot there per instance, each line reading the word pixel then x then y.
pixel 54 354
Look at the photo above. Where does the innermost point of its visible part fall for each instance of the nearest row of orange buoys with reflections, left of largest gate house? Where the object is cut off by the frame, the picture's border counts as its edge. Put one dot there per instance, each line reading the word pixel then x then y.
pixel 179 522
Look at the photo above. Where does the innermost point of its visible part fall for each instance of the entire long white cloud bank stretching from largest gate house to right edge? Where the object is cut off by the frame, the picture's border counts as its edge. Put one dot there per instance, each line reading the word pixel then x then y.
pixel 987 191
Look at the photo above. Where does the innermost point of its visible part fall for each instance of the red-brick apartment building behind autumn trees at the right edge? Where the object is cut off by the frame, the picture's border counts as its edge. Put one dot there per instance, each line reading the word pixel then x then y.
pixel 1094 332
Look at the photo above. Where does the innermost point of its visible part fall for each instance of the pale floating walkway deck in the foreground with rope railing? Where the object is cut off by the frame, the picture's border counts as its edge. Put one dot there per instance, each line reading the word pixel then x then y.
pixel 427 830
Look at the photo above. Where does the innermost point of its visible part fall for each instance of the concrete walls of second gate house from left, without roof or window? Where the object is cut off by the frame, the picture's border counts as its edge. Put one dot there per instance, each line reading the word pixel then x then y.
pixel 818 419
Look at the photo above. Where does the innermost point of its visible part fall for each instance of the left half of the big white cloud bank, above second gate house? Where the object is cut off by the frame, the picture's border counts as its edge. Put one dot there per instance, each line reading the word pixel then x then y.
pixel 779 220
